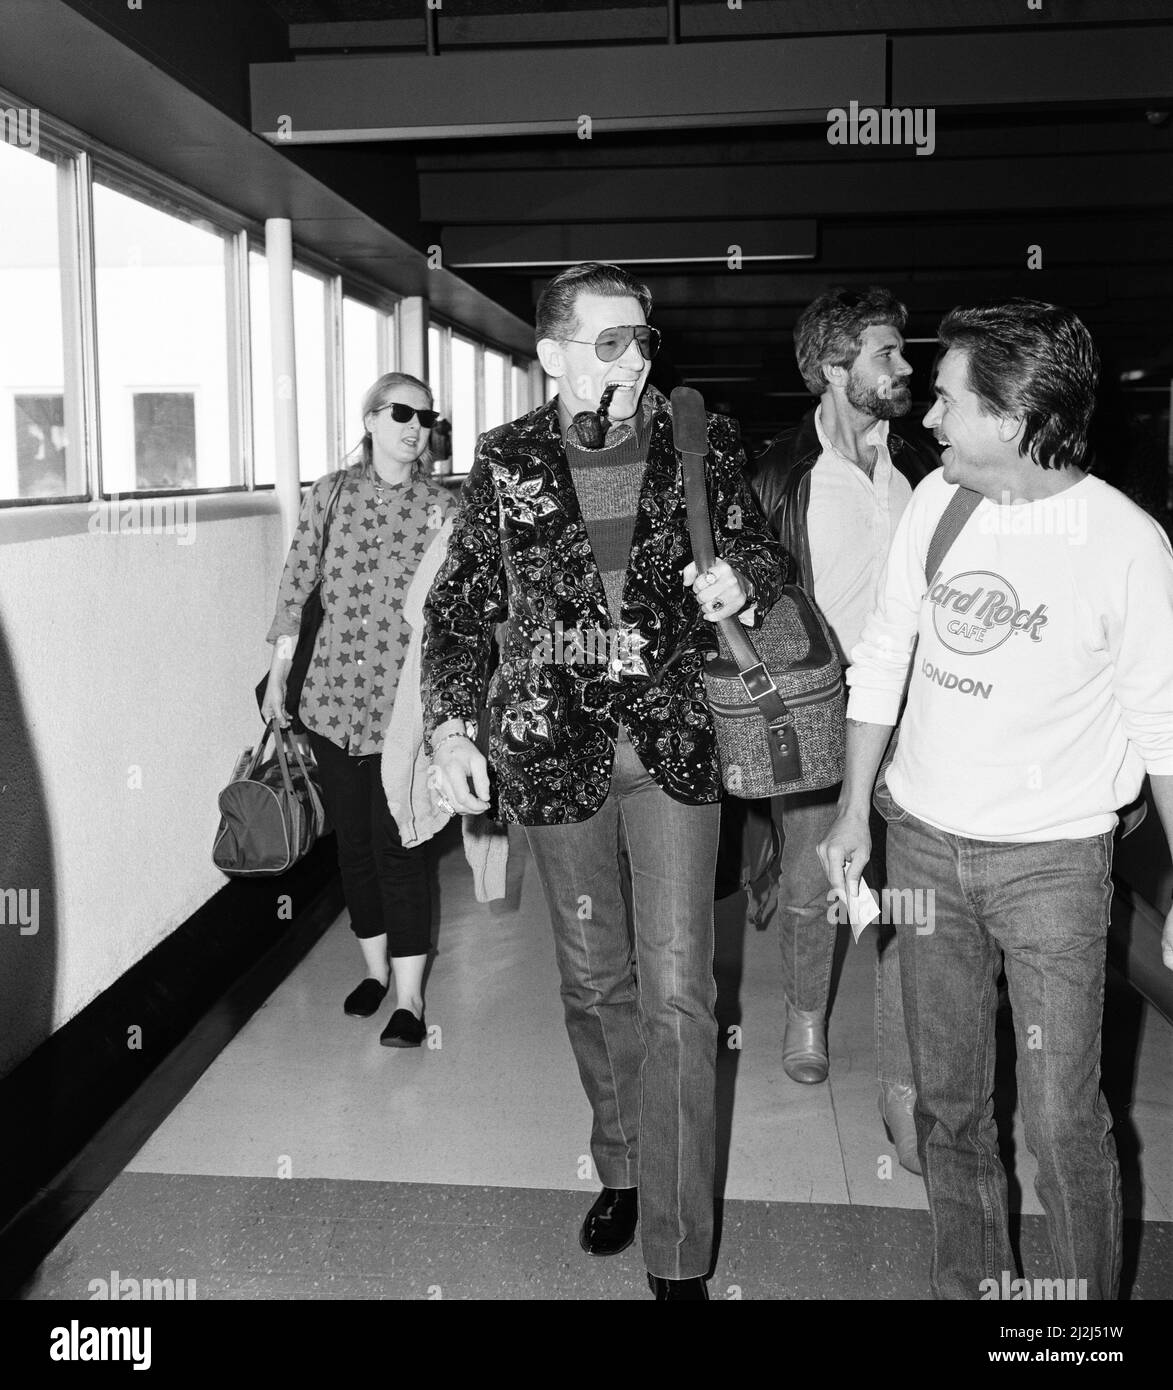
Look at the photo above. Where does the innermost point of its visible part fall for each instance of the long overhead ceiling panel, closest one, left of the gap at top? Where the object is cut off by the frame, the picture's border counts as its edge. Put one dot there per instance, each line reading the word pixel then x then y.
pixel 412 97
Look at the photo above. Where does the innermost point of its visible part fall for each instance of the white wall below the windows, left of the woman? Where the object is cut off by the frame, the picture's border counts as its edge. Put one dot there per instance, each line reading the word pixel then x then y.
pixel 130 660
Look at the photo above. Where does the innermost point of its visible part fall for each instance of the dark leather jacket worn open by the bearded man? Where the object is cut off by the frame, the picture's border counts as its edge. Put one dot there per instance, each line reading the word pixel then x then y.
pixel 780 479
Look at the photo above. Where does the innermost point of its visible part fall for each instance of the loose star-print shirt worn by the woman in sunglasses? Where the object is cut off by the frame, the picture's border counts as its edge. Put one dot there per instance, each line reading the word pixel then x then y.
pixel 372 557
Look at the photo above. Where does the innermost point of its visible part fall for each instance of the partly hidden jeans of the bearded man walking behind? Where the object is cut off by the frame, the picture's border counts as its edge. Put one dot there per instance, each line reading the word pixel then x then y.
pixel 808 938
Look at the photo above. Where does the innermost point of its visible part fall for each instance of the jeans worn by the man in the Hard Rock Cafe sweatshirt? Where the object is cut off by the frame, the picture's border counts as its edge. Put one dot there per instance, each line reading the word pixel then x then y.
pixel 1043 908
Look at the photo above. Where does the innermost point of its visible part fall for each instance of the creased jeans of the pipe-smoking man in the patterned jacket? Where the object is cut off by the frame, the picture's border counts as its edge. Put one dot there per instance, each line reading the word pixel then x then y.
pixel 640 999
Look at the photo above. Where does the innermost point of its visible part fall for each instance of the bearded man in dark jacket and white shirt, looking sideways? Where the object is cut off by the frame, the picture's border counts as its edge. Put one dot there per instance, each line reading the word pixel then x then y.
pixel 835 489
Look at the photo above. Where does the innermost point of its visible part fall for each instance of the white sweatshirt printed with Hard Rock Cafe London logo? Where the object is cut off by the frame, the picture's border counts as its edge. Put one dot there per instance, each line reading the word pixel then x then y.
pixel 1043 682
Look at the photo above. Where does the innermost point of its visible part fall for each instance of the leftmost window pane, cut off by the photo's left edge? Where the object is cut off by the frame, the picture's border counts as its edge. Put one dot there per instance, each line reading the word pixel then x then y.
pixel 41 455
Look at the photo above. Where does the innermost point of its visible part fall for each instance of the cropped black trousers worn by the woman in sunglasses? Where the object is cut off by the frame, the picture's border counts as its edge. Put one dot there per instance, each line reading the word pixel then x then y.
pixel 388 888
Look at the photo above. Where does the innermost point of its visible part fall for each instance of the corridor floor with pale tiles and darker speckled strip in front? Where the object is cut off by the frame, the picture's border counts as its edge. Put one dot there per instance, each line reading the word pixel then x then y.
pixel 309 1163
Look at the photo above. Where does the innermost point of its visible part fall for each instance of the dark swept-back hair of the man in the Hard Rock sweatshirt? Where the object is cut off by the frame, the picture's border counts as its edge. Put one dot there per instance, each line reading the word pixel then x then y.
pixel 1031 362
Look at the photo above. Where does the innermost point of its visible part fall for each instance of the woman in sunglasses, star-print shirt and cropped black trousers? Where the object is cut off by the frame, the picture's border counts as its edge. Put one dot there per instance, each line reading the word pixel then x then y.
pixel 386 516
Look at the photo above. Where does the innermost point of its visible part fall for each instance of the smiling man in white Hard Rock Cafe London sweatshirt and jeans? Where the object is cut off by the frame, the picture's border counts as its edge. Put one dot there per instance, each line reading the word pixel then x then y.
pixel 1040 694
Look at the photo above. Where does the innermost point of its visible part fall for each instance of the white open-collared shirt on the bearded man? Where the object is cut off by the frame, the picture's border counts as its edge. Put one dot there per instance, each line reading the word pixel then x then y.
pixel 850 528
